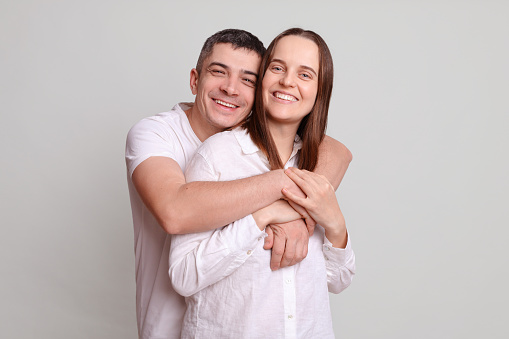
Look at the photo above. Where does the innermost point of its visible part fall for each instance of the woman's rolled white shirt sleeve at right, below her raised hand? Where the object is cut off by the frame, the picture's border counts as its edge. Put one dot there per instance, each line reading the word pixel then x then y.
pixel 340 265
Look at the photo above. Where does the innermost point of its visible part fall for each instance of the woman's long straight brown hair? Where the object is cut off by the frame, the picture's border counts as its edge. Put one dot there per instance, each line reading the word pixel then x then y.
pixel 312 127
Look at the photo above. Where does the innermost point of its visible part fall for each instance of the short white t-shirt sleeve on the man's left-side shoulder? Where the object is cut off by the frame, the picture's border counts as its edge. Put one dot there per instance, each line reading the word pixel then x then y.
pixel 149 138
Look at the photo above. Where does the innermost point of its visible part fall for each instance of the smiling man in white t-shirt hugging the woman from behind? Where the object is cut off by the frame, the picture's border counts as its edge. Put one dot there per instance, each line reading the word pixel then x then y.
pixel 157 151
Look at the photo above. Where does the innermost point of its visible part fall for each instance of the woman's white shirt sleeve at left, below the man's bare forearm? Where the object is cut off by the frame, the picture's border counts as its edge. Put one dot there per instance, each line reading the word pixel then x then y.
pixel 199 260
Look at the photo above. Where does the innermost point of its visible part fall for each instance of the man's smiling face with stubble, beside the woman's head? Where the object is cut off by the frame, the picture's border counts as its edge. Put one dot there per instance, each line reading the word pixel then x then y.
pixel 224 88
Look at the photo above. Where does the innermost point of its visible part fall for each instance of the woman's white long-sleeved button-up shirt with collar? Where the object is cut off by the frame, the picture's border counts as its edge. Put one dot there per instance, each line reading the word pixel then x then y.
pixel 225 275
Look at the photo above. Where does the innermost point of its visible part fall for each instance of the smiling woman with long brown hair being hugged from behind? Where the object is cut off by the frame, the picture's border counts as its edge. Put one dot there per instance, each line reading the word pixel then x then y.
pixel 224 274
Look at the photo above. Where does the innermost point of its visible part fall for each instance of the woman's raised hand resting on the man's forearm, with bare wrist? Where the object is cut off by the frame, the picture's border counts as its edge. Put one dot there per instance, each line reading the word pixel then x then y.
pixel 320 203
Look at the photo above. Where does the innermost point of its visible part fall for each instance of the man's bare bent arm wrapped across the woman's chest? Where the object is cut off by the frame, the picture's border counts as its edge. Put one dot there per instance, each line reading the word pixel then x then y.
pixel 182 207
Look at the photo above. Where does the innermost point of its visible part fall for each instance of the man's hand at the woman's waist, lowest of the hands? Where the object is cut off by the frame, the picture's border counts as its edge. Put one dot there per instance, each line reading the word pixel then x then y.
pixel 289 243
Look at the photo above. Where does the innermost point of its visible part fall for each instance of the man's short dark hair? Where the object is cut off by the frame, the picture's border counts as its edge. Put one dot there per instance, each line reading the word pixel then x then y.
pixel 237 37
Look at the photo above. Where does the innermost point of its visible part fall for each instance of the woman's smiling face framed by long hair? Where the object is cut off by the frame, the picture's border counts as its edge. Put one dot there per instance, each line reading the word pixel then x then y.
pixel 290 84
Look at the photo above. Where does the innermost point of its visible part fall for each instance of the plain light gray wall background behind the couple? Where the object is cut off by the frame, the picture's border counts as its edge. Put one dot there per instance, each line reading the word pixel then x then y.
pixel 420 98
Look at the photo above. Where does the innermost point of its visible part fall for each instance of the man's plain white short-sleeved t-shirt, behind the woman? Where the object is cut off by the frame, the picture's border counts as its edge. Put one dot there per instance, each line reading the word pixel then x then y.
pixel 159 308
